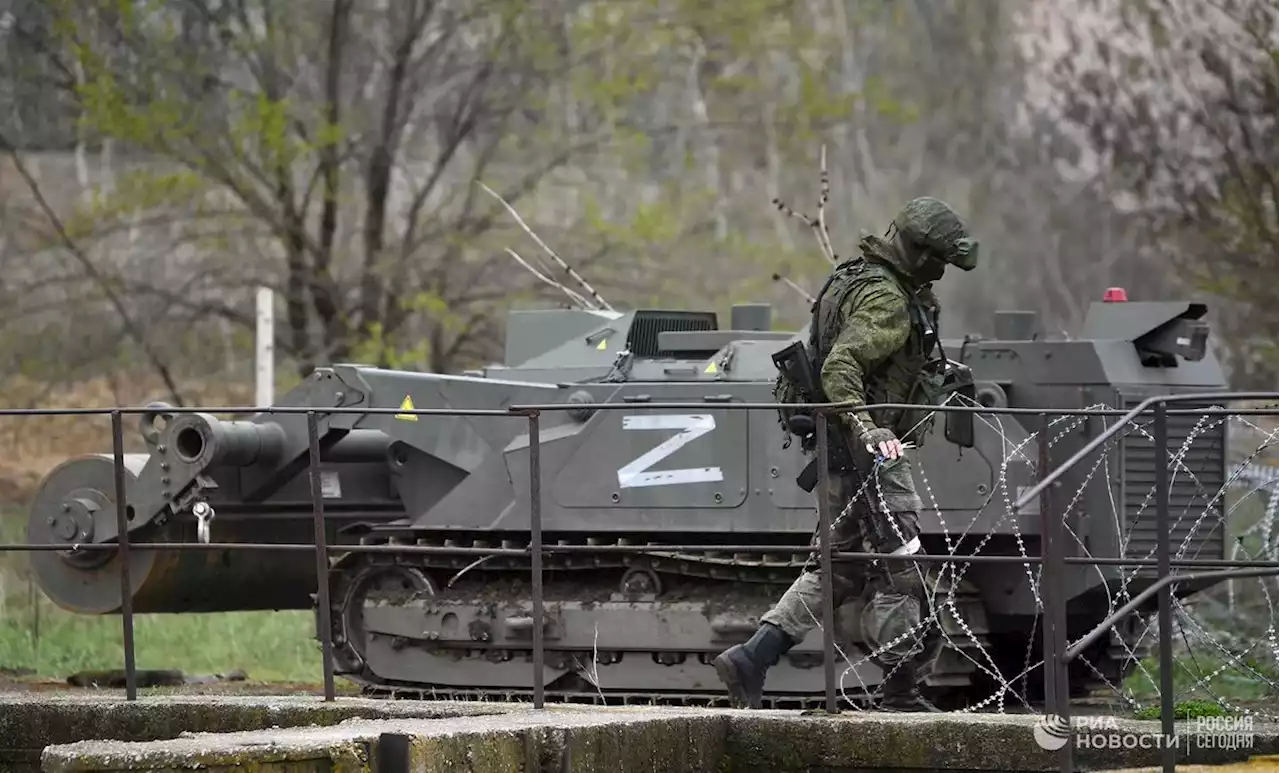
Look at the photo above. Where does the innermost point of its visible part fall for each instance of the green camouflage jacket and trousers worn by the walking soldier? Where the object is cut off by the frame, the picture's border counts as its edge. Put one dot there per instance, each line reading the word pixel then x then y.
pixel 877 337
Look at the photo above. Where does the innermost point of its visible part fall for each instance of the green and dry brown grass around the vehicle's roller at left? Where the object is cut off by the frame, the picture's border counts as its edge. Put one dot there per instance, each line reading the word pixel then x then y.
pixel 36 635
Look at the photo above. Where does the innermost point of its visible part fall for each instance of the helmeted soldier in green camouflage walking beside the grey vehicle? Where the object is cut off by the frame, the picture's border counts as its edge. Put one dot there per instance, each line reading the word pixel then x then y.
pixel 876 327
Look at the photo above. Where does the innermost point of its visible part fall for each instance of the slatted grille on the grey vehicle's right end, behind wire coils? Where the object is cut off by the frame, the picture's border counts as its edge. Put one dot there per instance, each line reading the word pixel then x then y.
pixel 1195 484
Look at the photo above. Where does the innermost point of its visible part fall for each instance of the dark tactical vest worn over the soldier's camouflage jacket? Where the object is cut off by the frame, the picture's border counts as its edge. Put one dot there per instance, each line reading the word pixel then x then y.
pixel 899 378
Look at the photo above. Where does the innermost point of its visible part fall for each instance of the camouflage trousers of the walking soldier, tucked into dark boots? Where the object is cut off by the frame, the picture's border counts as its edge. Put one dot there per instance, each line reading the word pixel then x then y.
pixel 894 592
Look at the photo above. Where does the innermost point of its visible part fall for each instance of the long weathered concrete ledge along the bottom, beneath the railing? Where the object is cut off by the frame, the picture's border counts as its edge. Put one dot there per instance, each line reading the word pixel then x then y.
pixel 483 738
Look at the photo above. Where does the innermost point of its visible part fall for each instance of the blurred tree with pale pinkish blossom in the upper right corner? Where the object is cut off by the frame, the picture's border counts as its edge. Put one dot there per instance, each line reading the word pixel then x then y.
pixel 1176 109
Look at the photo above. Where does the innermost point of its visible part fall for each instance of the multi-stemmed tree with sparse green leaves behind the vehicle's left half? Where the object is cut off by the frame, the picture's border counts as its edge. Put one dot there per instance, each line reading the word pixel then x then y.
pixel 339 141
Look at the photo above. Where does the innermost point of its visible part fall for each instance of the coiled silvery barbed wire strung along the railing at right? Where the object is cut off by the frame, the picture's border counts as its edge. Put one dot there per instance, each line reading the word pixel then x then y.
pixel 1249 478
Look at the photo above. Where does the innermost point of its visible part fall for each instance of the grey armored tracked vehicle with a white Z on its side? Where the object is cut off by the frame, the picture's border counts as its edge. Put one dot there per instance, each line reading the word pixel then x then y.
pixel 642 628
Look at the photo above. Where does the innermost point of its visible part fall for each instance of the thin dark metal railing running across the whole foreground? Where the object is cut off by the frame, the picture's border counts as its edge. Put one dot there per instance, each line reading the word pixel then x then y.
pixel 1053 560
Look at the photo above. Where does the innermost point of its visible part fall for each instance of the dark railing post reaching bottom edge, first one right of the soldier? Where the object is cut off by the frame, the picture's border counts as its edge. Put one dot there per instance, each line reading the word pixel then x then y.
pixel 1058 698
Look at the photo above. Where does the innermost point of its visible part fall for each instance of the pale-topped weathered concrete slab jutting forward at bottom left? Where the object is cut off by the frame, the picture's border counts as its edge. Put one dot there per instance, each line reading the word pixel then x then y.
pixel 519 742
